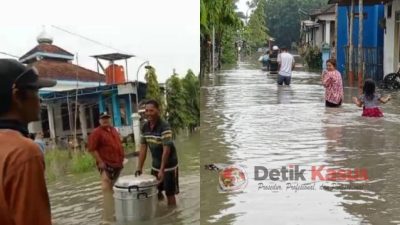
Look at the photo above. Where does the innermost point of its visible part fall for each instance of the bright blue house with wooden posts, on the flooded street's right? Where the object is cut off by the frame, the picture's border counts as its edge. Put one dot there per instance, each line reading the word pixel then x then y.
pixel 372 39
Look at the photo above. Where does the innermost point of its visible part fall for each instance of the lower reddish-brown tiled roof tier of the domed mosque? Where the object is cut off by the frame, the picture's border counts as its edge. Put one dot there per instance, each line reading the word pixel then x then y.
pixel 59 70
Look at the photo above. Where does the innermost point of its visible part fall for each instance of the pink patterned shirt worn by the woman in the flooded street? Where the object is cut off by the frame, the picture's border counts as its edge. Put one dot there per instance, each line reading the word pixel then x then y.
pixel 332 81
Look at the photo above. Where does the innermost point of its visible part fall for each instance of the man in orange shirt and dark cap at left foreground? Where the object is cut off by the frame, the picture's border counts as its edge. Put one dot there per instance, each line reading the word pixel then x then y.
pixel 23 193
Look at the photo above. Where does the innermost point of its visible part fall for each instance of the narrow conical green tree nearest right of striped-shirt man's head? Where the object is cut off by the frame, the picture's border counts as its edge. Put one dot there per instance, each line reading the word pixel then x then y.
pixel 175 111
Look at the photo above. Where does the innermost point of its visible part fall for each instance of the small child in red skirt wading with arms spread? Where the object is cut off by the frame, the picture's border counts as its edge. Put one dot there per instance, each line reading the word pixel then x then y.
pixel 370 100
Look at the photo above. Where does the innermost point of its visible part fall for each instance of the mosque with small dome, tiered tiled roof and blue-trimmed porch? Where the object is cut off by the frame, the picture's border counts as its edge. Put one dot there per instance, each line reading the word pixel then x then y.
pixel 73 105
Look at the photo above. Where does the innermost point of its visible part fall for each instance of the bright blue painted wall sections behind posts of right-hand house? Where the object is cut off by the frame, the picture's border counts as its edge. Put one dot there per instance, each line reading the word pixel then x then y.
pixel 372 35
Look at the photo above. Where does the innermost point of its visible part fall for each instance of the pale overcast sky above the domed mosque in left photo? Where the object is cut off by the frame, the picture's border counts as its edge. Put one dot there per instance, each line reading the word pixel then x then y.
pixel 164 32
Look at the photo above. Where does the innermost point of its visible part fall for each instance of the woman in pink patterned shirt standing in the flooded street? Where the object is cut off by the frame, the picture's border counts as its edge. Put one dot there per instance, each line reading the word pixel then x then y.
pixel 332 81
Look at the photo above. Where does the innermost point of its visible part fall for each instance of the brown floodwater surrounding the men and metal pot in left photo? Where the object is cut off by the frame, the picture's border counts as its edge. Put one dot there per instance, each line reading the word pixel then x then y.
pixel 78 199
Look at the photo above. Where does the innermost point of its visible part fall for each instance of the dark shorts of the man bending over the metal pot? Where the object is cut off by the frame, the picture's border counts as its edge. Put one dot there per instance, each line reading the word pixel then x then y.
pixel 170 184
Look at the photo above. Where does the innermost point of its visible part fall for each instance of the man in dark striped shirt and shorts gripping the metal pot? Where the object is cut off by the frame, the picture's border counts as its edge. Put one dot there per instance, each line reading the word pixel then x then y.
pixel 157 136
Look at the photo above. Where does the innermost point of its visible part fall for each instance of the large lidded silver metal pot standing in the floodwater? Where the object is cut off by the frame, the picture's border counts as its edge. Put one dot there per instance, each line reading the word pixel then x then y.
pixel 135 198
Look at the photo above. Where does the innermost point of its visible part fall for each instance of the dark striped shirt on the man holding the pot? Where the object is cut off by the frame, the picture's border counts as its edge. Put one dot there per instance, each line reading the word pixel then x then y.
pixel 156 138
